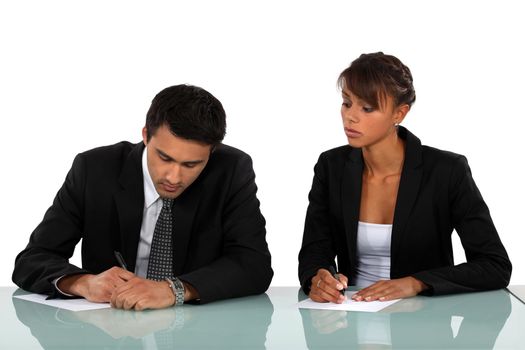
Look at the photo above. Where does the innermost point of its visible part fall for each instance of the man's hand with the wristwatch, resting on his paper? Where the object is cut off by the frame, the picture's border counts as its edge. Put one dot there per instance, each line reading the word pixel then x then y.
pixel 139 294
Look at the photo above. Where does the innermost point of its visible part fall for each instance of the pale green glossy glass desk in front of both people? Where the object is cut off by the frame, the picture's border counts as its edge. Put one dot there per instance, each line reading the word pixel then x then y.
pixel 470 321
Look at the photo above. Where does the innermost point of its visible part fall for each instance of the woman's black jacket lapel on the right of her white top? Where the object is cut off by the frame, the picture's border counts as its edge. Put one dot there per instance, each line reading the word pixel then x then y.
pixel 407 192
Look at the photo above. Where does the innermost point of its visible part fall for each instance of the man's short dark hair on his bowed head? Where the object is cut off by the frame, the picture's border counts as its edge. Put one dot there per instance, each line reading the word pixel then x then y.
pixel 190 112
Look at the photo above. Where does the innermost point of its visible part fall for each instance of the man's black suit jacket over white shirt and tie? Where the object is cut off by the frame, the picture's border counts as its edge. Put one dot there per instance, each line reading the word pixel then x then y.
pixel 219 231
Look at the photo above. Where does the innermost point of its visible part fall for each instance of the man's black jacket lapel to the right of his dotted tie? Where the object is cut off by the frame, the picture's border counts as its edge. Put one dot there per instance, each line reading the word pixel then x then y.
pixel 184 209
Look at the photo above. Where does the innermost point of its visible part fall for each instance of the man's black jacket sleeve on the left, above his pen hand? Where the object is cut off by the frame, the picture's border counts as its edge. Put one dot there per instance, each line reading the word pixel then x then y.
pixel 53 242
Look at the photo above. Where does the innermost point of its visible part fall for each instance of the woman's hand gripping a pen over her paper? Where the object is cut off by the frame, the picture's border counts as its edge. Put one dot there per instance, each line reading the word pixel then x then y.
pixel 325 288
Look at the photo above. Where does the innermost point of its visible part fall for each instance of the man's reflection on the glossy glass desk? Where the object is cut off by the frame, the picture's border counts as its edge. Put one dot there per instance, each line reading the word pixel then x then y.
pixel 177 327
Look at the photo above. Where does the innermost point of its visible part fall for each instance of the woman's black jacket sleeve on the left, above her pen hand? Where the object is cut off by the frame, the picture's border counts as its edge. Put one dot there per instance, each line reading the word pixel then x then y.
pixel 317 246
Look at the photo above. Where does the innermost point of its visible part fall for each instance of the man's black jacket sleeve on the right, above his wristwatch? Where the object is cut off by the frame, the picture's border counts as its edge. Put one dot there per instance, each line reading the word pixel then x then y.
pixel 244 265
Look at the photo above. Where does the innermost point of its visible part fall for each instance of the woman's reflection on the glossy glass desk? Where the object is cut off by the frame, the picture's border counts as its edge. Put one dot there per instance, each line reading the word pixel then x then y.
pixel 461 321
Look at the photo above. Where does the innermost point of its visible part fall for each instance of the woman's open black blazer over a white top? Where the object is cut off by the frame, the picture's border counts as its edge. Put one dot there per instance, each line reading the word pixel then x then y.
pixel 436 195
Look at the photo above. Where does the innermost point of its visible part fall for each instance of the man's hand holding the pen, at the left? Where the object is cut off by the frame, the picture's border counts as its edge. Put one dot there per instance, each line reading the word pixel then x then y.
pixel 95 288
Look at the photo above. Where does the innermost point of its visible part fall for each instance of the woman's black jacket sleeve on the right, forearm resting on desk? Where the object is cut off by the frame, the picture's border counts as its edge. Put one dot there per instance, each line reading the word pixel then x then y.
pixel 488 265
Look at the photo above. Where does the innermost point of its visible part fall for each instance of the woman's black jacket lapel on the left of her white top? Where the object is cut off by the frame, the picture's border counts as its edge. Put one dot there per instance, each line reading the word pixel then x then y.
pixel 351 200
